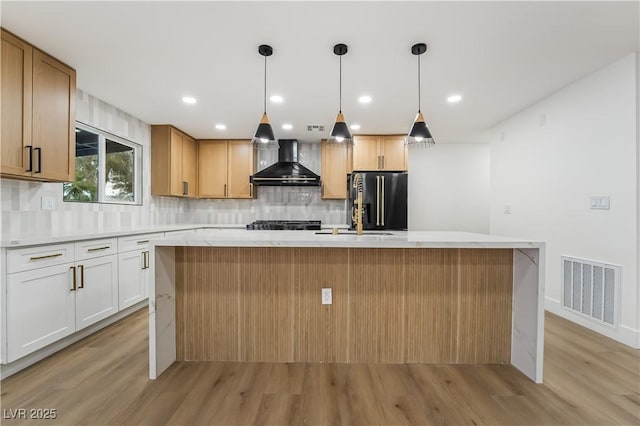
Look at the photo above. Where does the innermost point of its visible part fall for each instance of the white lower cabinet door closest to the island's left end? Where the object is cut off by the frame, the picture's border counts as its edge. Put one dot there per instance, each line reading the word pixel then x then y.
pixel 133 278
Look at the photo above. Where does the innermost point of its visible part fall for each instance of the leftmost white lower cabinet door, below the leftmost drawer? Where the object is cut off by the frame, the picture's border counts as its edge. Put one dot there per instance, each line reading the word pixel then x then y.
pixel 41 308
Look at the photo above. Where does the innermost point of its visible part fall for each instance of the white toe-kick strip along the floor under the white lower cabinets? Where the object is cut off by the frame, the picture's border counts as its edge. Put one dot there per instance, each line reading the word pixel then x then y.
pixel 12 368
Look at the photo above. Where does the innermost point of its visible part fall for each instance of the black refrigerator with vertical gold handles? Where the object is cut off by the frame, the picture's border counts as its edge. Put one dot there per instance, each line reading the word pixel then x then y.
pixel 384 200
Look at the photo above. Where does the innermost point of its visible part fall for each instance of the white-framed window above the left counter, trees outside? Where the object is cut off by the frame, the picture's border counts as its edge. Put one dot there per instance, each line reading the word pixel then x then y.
pixel 108 169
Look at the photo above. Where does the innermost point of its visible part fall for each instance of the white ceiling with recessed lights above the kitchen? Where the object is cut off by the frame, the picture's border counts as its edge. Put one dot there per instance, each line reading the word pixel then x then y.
pixel 143 57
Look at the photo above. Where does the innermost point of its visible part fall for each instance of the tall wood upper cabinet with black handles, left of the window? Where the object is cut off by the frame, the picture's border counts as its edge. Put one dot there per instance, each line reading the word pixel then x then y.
pixel 38 114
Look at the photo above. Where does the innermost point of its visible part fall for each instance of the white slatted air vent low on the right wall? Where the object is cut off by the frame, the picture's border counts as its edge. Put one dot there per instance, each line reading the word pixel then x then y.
pixel 591 289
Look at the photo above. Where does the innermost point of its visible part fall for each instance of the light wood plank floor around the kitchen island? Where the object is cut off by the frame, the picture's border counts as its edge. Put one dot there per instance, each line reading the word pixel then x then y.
pixel 588 380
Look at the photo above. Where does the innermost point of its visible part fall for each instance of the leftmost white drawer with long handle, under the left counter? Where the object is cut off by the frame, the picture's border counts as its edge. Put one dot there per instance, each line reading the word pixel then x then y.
pixel 23 259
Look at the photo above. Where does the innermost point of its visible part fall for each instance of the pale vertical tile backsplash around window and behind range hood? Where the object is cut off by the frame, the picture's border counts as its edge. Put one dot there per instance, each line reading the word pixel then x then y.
pixel 22 215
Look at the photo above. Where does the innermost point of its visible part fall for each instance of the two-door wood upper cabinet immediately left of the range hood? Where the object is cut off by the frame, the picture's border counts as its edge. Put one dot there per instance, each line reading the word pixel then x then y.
pixel 224 168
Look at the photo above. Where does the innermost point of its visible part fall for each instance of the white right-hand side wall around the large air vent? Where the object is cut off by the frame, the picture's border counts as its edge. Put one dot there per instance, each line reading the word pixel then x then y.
pixel 548 160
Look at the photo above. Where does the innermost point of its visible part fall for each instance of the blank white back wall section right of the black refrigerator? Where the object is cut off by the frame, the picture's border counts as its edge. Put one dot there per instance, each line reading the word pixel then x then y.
pixel 449 188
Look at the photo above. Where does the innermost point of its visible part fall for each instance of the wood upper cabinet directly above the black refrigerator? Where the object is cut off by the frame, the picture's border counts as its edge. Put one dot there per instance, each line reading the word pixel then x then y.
pixel 385 152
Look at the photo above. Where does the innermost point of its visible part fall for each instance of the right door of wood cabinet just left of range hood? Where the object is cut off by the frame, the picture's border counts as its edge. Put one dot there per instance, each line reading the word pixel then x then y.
pixel 239 169
